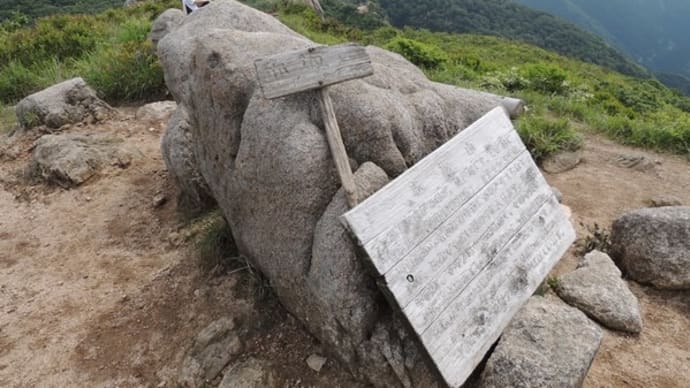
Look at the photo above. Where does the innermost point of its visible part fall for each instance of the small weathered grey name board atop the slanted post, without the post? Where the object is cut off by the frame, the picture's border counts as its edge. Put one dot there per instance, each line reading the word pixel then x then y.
pixel 313 68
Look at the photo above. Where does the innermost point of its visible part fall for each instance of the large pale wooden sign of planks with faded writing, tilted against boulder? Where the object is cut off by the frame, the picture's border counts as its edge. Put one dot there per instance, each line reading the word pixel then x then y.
pixel 462 239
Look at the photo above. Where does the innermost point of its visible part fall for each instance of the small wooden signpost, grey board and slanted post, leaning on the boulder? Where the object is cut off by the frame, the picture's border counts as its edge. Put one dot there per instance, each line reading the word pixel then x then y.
pixel 317 68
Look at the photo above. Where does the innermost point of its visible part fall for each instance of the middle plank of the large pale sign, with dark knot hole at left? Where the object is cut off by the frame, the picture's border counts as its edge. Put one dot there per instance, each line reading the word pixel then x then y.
pixel 477 231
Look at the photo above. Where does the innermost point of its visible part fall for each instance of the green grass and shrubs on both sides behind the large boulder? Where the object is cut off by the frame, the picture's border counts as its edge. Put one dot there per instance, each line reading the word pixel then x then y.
pixel 564 96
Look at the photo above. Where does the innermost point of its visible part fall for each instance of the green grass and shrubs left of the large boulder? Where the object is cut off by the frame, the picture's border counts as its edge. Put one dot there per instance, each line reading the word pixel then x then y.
pixel 110 51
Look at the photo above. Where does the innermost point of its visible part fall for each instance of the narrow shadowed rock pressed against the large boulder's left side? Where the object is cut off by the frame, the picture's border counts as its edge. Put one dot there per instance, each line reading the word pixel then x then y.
pixel 176 147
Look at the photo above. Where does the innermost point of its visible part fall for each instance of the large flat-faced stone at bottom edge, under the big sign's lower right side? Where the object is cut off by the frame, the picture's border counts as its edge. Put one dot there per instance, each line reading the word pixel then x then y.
pixel 547 344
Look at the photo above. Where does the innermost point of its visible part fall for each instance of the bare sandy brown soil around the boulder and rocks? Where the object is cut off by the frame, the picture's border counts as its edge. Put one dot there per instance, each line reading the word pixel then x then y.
pixel 98 287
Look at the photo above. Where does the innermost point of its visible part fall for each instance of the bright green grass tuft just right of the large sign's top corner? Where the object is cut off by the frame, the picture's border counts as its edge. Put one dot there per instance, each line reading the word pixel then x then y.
pixel 545 137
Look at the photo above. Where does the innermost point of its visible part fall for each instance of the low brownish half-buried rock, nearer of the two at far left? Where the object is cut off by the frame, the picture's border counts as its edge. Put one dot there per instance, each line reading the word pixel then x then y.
pixel 71 159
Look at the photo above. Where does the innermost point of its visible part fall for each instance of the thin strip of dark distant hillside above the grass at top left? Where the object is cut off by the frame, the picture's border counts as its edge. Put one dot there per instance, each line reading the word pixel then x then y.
pixel 37 8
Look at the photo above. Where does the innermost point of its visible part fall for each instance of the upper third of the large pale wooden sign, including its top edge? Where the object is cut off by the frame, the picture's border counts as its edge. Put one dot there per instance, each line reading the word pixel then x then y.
pixel 434 187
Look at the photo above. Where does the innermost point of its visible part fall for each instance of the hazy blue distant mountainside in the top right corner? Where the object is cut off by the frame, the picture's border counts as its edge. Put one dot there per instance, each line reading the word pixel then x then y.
pixel 654 32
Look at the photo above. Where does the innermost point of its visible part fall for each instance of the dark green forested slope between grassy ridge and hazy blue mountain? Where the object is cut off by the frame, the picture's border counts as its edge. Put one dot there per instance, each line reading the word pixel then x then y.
pixel 507 19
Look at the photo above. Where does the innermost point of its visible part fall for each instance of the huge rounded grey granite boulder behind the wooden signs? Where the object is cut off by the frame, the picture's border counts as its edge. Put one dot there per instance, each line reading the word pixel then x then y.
pixel 268 165
